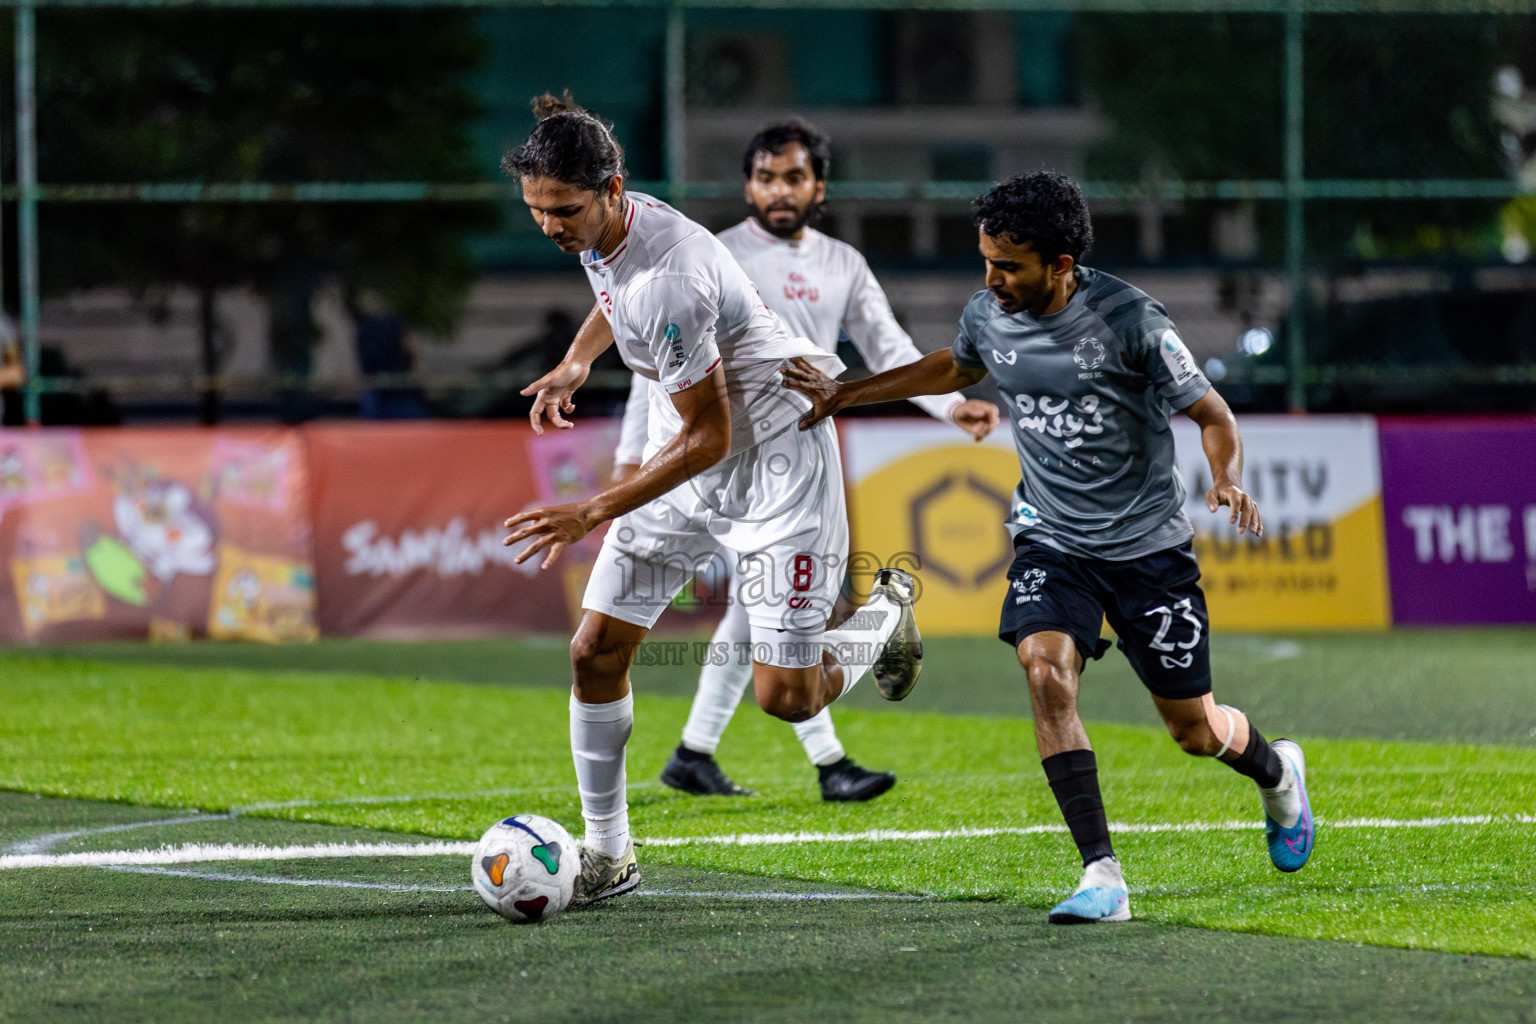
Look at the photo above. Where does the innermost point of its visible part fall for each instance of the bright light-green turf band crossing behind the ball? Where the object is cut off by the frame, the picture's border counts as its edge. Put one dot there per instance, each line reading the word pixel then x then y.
pixel 448 759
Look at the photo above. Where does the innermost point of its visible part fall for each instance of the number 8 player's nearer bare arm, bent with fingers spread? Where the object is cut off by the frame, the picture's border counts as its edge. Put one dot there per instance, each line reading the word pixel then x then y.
pixel 704 440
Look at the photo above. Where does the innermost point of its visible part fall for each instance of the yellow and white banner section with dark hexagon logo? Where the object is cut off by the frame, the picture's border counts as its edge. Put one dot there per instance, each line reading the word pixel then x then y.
pixel 927 498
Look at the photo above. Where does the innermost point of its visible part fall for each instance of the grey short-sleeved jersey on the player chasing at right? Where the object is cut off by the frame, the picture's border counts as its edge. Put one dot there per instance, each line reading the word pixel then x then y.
pixel 1090 392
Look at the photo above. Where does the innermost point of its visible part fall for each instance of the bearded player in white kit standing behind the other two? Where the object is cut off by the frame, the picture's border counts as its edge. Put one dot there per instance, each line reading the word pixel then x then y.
pixel 819 288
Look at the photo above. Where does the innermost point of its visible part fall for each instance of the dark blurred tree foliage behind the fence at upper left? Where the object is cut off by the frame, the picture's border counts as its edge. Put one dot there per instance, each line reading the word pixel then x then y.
pixel 263 96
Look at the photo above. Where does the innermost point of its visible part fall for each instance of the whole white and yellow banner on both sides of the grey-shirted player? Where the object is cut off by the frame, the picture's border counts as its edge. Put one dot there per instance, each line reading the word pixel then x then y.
pixel 921 491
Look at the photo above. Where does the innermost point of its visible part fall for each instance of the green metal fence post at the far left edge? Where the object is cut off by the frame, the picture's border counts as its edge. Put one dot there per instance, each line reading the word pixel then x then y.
pixel 27 199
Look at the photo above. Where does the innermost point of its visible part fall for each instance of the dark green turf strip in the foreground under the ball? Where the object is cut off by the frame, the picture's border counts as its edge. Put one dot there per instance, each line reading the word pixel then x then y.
pixel 245 943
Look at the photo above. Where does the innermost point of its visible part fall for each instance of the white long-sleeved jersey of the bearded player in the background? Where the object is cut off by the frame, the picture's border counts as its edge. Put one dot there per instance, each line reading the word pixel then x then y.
pixel 821 288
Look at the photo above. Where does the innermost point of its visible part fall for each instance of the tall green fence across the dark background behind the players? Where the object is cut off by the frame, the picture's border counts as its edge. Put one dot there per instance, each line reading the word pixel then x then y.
pixel 1329 197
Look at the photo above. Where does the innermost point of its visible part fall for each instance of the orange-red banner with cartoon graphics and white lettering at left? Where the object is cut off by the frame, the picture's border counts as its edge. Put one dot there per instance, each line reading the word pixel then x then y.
pixel 386 530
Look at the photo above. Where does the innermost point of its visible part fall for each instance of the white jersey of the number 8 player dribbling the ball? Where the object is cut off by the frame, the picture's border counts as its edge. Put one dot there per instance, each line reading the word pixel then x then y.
pixel 680 306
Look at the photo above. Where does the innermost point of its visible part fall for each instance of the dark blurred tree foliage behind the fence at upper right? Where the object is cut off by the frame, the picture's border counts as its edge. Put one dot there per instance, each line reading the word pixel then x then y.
pixel 1197 97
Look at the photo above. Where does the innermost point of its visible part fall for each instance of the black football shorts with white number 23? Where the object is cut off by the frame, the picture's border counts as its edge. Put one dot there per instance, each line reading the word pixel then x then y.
pixel 1154 604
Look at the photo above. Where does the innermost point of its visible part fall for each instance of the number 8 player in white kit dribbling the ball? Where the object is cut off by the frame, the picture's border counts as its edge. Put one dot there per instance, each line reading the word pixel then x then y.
pixel 729 471
